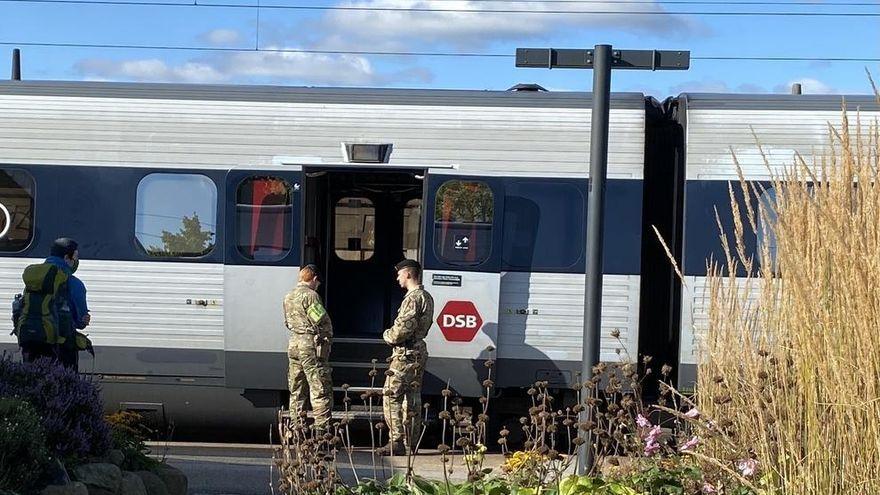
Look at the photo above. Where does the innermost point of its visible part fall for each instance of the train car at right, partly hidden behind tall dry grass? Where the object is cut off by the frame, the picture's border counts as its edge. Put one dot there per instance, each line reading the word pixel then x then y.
pixel 714 128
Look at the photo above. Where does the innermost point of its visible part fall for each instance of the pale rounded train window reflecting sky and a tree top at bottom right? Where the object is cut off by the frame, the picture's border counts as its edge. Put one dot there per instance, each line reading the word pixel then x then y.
pixel 176 215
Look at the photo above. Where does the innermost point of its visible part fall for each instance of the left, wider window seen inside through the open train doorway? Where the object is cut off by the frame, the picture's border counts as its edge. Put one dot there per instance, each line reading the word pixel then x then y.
pixel 355 230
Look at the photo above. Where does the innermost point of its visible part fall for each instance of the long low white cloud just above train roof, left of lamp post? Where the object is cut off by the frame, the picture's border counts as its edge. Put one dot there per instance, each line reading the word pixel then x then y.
pixel 268 66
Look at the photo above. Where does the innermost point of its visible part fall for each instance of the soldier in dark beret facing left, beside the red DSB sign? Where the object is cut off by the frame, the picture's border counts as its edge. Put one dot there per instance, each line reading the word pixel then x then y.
pixel 402 392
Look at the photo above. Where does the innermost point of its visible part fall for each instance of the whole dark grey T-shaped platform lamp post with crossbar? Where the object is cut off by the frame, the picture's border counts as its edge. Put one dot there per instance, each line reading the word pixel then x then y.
pixel 602 59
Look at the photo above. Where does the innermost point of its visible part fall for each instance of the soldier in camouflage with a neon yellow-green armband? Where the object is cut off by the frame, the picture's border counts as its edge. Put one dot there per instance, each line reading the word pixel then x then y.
pixel 309 350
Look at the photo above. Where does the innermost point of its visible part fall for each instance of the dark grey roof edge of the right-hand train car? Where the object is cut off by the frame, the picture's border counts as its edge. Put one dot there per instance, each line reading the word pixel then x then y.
pixel 777 101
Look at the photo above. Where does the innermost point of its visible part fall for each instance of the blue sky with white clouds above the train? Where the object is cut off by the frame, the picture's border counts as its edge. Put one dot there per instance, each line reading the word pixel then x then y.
pixel 206 26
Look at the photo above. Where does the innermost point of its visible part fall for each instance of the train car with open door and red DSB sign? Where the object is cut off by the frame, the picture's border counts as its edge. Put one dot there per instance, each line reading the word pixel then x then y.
pixel 195 205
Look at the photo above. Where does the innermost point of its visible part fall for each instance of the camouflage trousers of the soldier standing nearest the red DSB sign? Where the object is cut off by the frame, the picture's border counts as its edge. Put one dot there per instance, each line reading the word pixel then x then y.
pixel 402 404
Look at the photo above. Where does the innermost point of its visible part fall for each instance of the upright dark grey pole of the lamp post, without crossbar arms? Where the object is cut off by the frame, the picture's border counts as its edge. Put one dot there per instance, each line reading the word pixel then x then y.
pixel 595 221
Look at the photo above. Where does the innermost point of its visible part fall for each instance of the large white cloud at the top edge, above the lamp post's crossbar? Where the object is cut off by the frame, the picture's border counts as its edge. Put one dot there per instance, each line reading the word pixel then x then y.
pixel 400 30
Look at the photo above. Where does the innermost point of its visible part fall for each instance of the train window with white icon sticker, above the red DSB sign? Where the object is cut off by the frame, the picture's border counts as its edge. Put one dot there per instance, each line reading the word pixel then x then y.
pixel 463 217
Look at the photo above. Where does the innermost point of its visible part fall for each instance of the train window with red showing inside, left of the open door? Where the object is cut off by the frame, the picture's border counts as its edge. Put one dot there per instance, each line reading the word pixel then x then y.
pixel 263 214
